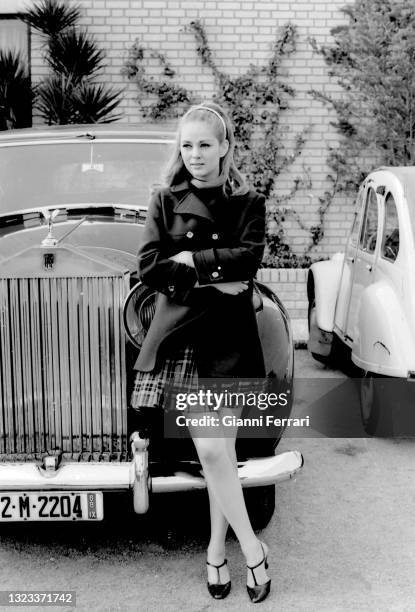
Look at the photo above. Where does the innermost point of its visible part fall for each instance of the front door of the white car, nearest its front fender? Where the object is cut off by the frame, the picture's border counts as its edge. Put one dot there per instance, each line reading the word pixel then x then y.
pixel 346 281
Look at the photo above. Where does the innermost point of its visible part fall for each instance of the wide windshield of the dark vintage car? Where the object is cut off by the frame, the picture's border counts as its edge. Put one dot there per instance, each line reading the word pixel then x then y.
pixel 47 174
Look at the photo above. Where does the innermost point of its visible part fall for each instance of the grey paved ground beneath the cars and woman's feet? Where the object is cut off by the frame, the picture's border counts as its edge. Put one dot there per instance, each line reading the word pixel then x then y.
pixel 341 539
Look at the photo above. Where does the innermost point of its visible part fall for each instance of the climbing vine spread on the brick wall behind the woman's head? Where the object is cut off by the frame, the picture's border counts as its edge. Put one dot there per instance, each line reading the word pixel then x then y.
pixel 255 100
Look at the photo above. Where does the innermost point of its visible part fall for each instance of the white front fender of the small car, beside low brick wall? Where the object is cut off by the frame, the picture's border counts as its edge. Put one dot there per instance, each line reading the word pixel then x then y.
pixel 323 286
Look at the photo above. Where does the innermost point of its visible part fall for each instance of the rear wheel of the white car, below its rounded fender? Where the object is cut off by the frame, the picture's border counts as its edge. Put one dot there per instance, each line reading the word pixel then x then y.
pixel 375 408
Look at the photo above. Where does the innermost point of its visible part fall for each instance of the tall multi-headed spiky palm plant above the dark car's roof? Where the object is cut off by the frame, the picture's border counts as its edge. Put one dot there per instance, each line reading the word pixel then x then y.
pixel 69 94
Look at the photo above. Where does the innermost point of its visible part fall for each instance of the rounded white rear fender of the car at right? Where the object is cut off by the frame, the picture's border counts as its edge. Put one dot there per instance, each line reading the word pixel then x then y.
pixel 385 344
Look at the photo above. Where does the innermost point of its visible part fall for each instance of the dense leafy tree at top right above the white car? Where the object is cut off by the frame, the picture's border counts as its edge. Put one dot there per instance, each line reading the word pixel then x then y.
pixel 372 59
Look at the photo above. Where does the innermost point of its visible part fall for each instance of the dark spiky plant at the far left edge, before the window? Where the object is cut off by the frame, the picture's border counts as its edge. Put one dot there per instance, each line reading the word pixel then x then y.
pixel 16 94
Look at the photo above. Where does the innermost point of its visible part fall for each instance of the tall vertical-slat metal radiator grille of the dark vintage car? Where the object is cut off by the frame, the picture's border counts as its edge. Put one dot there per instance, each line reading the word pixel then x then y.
pixel 62 369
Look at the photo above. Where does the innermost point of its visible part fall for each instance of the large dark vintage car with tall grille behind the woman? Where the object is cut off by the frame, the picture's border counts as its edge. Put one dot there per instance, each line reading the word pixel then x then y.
pixel 72 207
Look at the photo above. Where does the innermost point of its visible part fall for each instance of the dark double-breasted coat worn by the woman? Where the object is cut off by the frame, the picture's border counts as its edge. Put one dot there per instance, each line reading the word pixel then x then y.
pixel 226 247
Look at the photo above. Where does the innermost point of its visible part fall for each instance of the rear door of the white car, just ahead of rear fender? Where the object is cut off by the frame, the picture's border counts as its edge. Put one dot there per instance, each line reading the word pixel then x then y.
pixel 365 258
